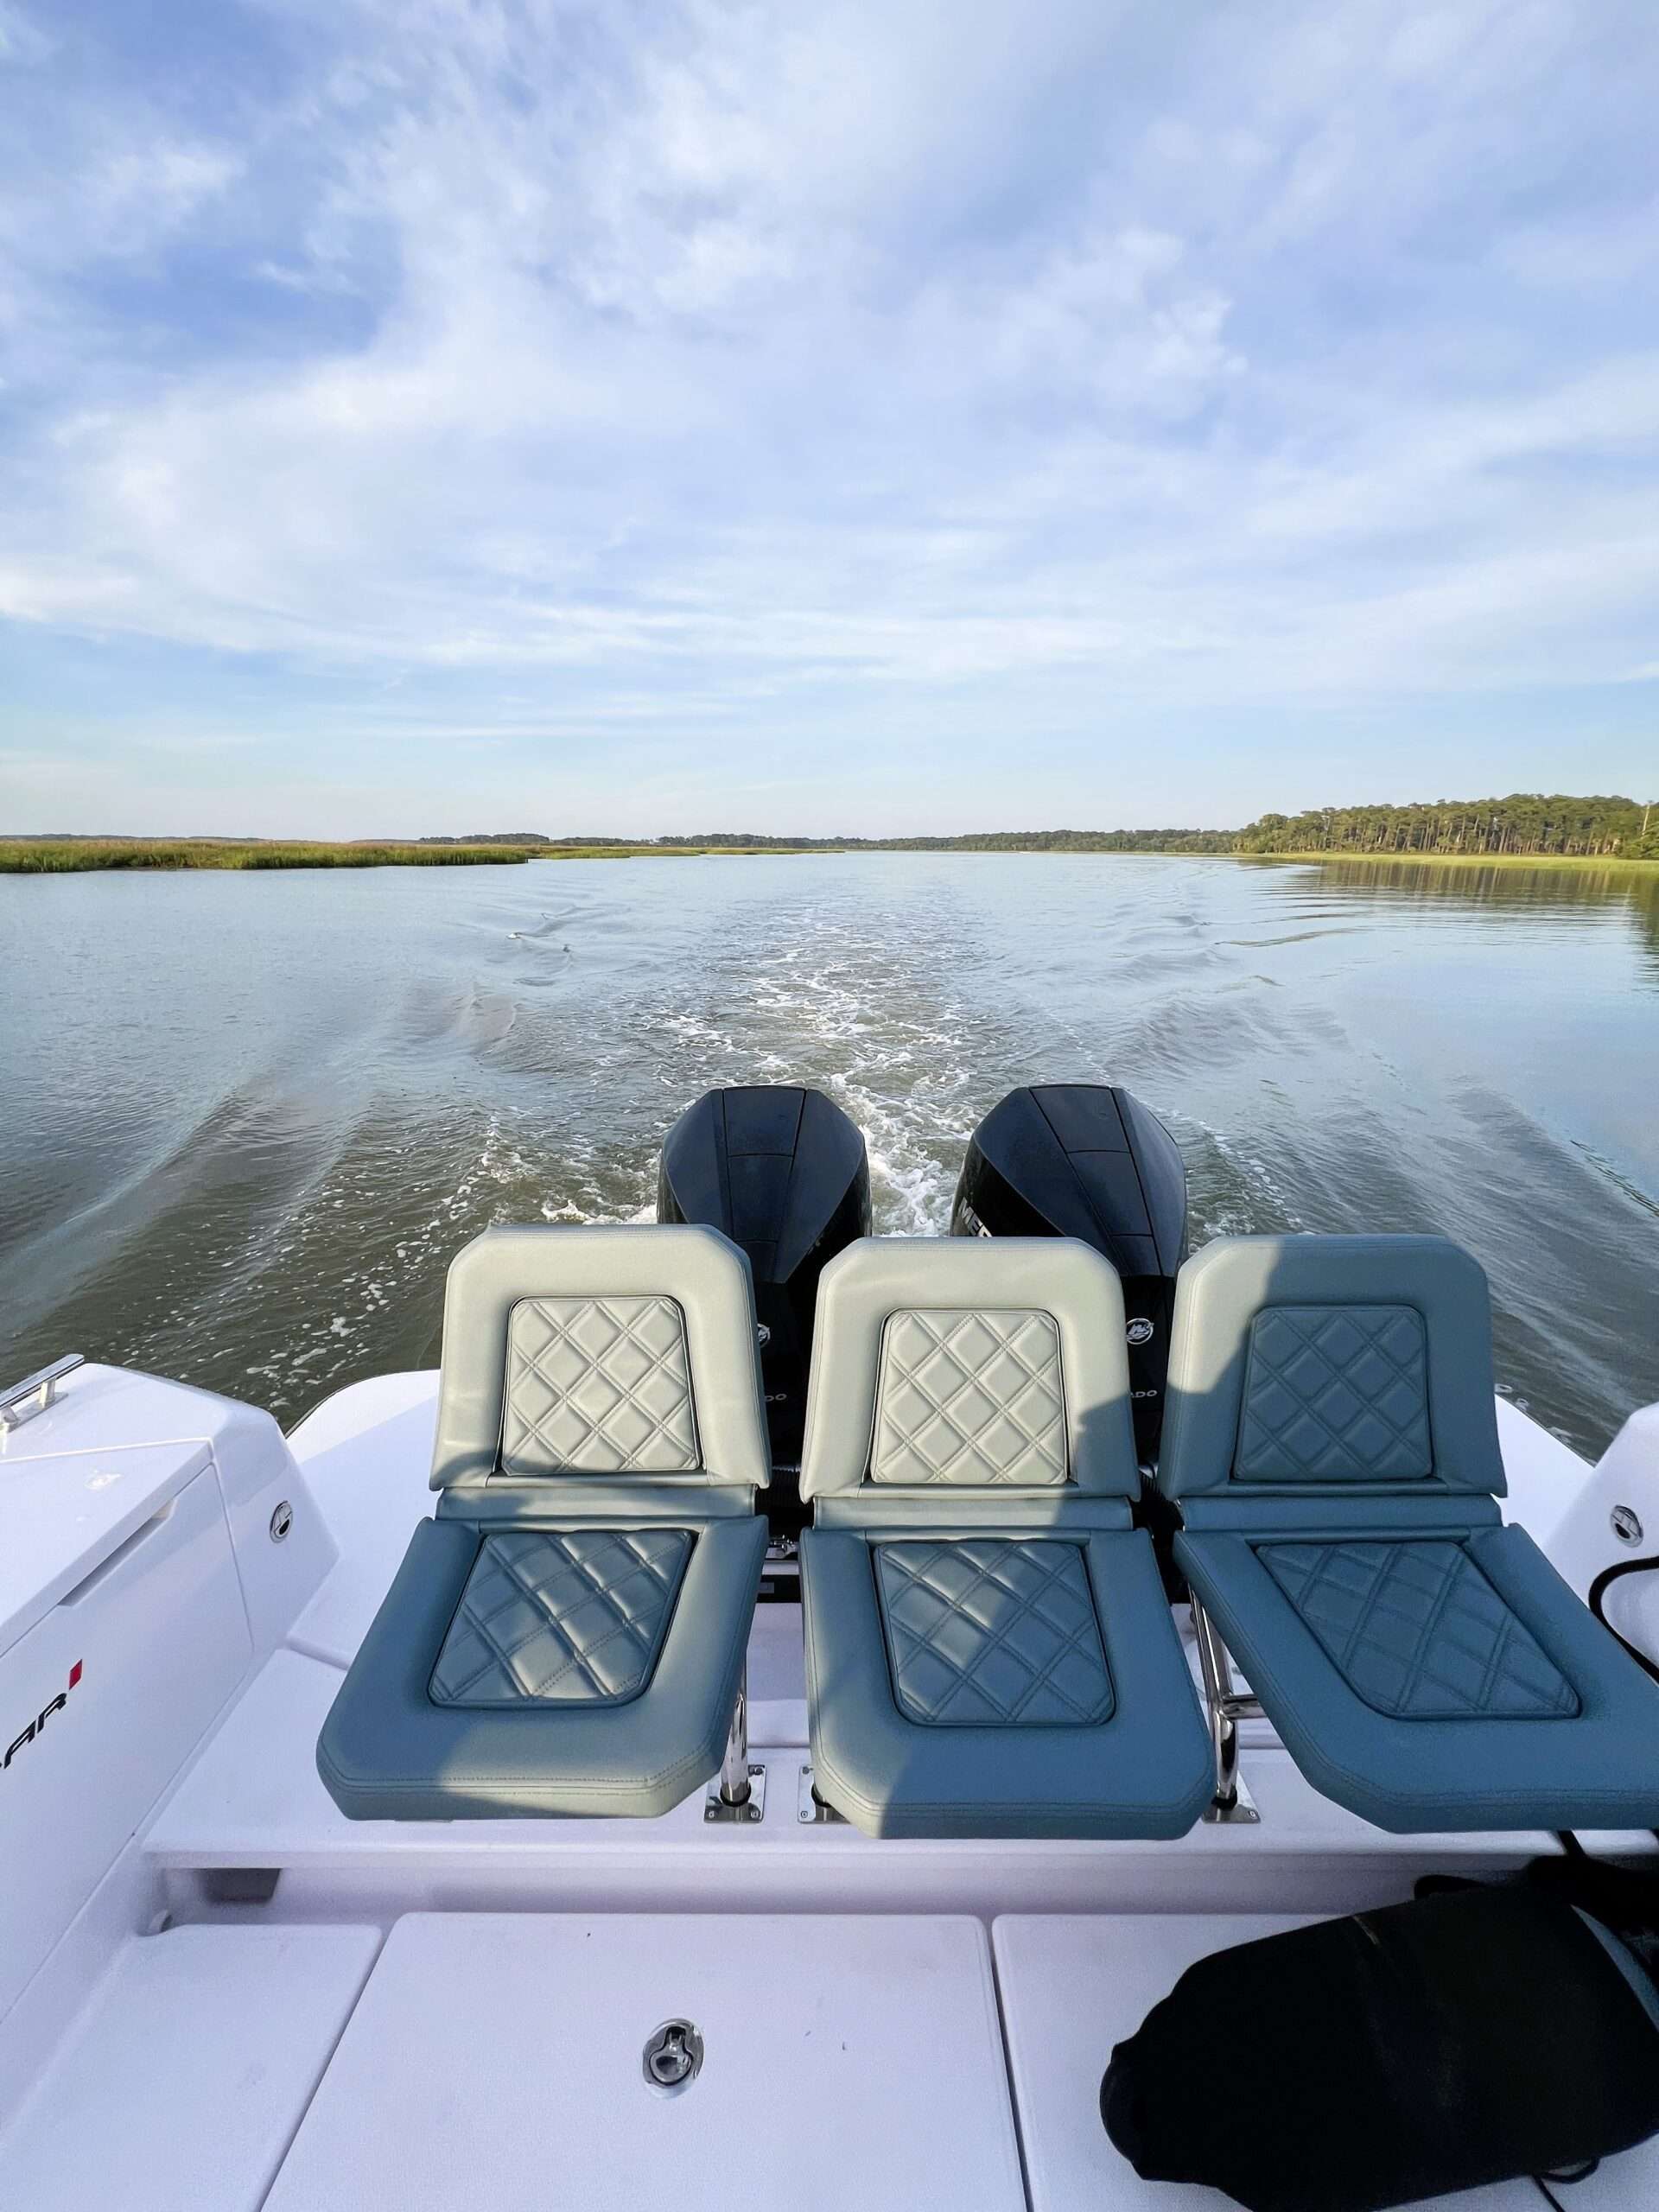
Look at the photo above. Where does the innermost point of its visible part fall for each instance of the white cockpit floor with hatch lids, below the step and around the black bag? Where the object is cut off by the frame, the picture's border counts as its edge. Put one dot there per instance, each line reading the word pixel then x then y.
pixel 497 2060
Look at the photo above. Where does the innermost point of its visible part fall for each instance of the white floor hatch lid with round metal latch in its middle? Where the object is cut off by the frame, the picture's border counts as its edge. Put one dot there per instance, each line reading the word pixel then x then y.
pixel 499 2060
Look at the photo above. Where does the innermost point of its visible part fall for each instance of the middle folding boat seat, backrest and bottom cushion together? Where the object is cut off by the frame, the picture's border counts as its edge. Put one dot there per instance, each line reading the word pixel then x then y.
pixel 990 1647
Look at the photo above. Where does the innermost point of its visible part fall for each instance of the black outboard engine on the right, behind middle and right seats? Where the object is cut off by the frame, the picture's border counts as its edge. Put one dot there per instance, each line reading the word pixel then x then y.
pixel 1092 1162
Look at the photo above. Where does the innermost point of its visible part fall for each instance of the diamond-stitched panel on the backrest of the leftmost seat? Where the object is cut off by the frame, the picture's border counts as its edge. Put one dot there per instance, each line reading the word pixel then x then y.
pixel 598 1388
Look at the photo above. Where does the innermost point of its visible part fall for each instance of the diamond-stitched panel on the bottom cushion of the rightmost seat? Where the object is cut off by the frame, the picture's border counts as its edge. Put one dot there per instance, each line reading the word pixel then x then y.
pixel 1419 1634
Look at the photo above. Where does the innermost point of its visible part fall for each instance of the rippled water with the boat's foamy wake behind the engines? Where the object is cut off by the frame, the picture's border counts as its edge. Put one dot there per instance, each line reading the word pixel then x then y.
pixel 251 1118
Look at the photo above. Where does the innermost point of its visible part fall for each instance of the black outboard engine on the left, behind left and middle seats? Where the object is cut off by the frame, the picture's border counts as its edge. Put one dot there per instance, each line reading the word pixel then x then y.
pixel 784 1173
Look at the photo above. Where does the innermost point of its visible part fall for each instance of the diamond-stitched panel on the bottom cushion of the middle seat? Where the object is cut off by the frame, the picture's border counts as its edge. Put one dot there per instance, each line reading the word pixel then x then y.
pixel 994 1634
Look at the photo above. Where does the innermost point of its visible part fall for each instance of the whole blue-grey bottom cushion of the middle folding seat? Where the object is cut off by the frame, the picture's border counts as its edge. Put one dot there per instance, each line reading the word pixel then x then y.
pixel 1061 1707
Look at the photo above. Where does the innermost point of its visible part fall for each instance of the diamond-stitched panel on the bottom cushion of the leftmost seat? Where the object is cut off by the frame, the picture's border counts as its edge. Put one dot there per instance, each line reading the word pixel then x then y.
pixel 574 1618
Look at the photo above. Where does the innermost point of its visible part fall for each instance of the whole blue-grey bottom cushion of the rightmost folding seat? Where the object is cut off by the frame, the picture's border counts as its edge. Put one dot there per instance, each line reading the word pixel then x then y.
pixel 1439 1680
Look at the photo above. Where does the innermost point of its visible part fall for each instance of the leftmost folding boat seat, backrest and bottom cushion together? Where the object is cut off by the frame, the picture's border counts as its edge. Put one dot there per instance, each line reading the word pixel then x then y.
pixel 570 1634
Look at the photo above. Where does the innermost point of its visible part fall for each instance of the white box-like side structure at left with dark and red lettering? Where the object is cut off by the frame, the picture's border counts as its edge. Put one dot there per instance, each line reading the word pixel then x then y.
pixel 138 1583
